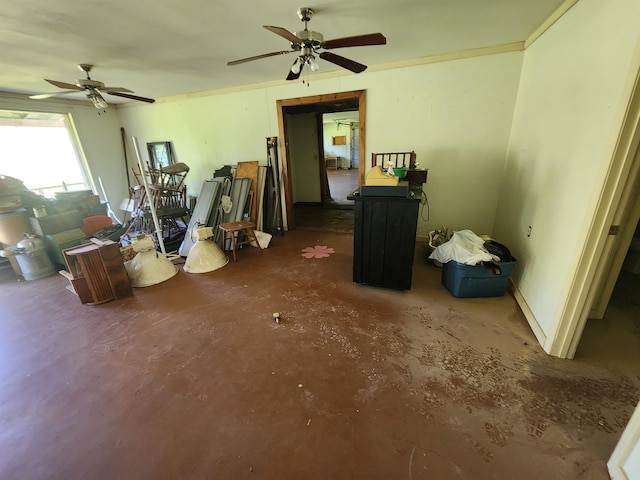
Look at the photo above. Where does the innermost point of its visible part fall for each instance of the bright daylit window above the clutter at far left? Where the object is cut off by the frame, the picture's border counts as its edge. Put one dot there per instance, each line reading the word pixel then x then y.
pixel 37 149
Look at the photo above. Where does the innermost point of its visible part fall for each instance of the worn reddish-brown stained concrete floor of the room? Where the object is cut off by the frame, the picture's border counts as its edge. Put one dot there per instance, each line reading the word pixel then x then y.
pixel 193 379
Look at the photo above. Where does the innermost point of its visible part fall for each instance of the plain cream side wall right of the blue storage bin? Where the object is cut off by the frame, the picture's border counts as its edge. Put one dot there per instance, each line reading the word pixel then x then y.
pixel 559 152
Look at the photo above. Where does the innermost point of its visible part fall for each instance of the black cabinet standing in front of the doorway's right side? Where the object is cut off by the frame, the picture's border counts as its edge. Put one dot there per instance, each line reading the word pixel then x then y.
pixel 384 239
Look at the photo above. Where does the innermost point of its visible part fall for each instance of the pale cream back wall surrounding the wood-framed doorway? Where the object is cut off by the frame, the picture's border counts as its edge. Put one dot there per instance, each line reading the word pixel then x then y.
pixel 456 115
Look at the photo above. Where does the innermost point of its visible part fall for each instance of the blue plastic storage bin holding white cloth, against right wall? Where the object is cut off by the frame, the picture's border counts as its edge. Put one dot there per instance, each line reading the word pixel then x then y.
pixel 466 281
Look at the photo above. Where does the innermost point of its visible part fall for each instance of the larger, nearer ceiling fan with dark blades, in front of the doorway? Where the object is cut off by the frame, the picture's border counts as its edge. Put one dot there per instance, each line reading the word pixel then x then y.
pixel 309 43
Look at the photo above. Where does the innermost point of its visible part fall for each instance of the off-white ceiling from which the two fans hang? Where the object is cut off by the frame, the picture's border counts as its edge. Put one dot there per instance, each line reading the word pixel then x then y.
pixel 160 48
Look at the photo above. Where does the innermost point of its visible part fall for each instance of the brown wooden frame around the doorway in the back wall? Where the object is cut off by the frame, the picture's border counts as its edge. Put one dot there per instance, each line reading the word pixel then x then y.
pixel 359 95
